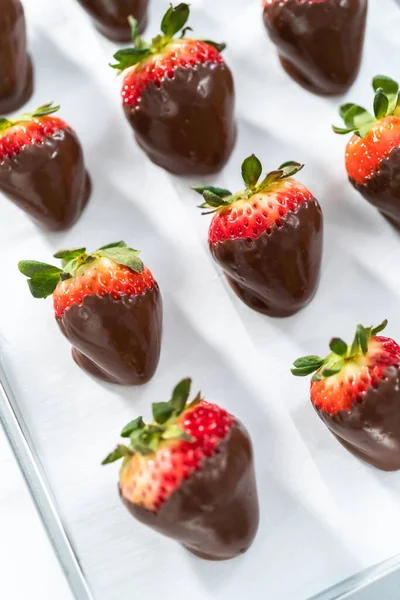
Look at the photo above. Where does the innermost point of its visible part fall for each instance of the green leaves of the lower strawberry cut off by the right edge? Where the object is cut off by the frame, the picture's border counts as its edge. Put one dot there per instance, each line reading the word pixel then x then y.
pixel 340 355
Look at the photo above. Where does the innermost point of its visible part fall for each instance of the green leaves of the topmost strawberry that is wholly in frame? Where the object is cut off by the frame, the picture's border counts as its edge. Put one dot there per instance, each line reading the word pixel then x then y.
pixel 173 22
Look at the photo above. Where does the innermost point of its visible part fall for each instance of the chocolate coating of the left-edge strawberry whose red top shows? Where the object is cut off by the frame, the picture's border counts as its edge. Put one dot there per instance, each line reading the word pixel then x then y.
pixel 48 180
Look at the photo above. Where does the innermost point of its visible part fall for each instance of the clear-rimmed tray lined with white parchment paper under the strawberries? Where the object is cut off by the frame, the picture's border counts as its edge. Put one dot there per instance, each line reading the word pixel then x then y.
pixel 324 515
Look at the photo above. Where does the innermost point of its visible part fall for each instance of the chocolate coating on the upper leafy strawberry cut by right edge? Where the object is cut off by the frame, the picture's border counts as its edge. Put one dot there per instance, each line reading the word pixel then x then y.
pixel 382 190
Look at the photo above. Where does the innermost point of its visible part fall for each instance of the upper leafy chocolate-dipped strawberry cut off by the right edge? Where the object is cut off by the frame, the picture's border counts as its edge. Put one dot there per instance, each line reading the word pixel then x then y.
pixel 373 153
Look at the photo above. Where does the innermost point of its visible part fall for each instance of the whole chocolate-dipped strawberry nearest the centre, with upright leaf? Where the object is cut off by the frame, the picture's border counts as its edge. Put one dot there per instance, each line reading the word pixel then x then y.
pixel 267 238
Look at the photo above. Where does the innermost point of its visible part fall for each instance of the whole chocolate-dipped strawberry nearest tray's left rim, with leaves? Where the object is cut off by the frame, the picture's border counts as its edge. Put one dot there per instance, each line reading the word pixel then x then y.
pixel 108 305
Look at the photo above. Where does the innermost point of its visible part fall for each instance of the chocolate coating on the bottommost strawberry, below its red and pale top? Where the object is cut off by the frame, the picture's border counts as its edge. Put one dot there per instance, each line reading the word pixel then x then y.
pixel 214 514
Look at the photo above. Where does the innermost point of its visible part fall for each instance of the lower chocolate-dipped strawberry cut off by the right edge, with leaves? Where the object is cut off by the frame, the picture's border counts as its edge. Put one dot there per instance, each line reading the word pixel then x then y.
pixel 356 392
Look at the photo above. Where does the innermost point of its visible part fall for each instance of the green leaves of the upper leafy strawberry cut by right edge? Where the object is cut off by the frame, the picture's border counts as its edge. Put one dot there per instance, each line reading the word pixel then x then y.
pixel 359 121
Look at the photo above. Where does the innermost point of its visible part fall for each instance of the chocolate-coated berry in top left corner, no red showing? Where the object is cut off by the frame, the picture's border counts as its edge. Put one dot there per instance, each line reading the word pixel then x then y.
pixel 16 73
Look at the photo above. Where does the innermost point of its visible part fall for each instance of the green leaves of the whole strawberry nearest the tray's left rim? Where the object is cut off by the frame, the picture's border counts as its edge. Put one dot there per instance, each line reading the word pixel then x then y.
pixel 43 278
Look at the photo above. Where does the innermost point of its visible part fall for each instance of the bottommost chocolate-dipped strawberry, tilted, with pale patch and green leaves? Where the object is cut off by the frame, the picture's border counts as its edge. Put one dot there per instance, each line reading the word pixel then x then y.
pixel 190 476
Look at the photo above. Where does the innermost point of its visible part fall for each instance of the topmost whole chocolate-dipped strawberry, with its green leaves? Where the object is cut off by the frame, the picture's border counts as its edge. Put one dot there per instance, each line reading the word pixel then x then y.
pixel 178 96
